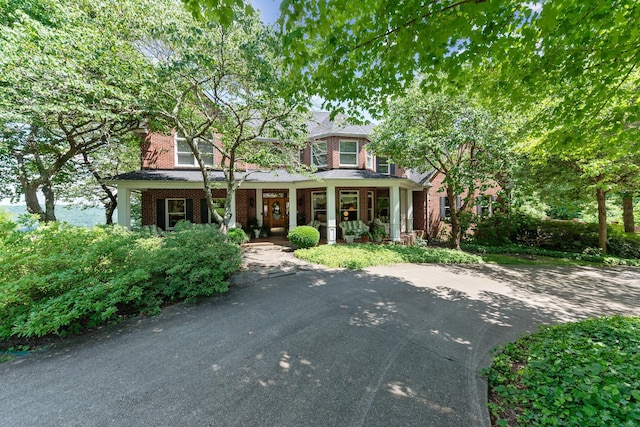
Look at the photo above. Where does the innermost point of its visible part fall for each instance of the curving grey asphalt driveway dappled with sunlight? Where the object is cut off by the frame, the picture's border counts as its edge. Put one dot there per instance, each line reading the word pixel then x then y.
pixel 294 345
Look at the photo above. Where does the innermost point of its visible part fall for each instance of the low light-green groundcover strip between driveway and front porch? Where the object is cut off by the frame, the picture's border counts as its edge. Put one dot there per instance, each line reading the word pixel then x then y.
pixel 362 256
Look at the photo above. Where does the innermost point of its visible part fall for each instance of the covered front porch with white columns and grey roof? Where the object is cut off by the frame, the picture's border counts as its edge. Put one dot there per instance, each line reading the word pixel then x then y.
pixel 281 202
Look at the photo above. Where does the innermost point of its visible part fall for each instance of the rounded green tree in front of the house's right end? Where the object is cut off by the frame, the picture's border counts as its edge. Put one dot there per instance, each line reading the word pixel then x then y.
pixel 452 136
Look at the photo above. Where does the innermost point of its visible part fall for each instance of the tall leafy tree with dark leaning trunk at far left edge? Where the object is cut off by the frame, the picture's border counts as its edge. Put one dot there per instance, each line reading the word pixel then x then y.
pixel 71 80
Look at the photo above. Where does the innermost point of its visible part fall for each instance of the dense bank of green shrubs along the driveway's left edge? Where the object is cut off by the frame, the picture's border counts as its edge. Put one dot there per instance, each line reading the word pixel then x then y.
pixel 59 279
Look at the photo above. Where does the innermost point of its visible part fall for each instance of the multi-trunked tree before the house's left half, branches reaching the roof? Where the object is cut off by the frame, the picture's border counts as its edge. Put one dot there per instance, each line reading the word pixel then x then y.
pixel 228 85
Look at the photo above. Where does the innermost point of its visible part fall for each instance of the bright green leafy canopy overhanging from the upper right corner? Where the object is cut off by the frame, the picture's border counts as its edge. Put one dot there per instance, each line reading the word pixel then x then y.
pixel 515 53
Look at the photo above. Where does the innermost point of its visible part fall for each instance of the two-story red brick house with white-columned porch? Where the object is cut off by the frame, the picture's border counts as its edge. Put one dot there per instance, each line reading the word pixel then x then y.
pixel 351 184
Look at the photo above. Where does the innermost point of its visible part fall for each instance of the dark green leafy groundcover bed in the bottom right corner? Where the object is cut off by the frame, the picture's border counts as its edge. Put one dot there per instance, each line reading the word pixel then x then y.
pixel 583 373
